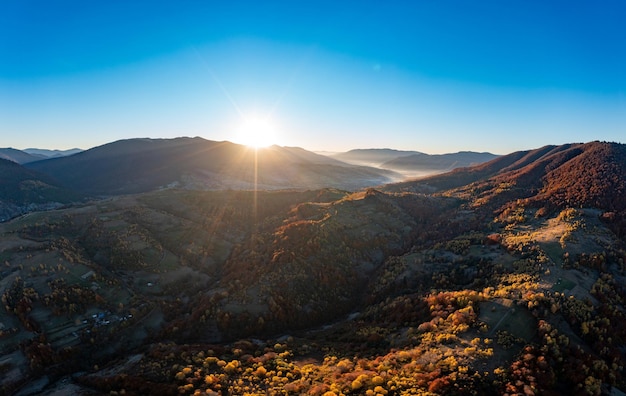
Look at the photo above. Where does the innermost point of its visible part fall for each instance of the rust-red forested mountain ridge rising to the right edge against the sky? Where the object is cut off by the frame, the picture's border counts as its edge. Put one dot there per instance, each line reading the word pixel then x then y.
pixel 591 174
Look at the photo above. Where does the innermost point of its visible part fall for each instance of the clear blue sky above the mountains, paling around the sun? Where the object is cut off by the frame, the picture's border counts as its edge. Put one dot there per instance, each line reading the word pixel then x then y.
pixel 432 76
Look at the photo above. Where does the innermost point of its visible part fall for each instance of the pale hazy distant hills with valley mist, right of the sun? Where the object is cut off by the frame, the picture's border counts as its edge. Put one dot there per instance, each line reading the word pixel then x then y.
pixel 414 163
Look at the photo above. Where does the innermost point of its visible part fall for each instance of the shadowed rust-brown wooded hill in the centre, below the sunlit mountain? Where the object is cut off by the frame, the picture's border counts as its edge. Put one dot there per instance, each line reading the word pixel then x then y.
pixel 319 261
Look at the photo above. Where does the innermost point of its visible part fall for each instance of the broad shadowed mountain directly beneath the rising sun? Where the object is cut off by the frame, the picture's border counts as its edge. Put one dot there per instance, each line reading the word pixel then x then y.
pixel 138 165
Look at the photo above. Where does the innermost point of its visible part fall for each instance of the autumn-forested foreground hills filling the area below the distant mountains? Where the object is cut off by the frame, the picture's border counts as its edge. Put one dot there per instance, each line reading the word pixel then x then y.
pixel 505 278
